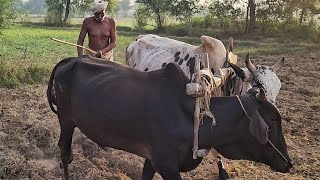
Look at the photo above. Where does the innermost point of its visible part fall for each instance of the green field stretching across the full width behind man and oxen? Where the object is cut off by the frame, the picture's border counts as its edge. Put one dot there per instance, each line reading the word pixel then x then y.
pixel 27 53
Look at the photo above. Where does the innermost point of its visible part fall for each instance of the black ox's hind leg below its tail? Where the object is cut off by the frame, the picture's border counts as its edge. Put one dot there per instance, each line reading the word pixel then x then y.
pixel 65 147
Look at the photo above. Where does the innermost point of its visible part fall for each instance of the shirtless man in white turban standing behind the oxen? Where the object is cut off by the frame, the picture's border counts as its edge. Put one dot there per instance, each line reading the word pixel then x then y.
pixel 101 33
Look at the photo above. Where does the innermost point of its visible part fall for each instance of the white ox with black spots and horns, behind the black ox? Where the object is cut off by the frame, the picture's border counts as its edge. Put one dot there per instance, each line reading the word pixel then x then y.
pixel 151 52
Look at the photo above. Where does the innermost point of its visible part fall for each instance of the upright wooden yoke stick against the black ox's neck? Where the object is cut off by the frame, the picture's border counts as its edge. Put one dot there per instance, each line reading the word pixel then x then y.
pixel 196 109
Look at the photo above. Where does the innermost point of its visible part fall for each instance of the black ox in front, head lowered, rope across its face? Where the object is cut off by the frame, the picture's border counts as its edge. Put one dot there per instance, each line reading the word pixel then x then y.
pixel 149 114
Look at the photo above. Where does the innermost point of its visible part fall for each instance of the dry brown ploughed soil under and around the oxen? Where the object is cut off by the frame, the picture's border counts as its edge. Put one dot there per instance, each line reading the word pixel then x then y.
pixel 29 134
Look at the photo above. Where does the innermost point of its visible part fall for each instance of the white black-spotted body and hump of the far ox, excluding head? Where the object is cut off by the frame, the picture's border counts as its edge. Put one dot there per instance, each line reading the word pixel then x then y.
pixel 151 52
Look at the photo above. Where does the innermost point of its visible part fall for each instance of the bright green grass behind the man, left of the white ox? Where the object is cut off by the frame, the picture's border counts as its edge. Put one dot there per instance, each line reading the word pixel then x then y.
pixel 28 54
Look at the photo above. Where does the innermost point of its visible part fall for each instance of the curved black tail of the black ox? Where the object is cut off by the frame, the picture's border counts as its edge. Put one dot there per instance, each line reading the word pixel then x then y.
pixel 50 91
